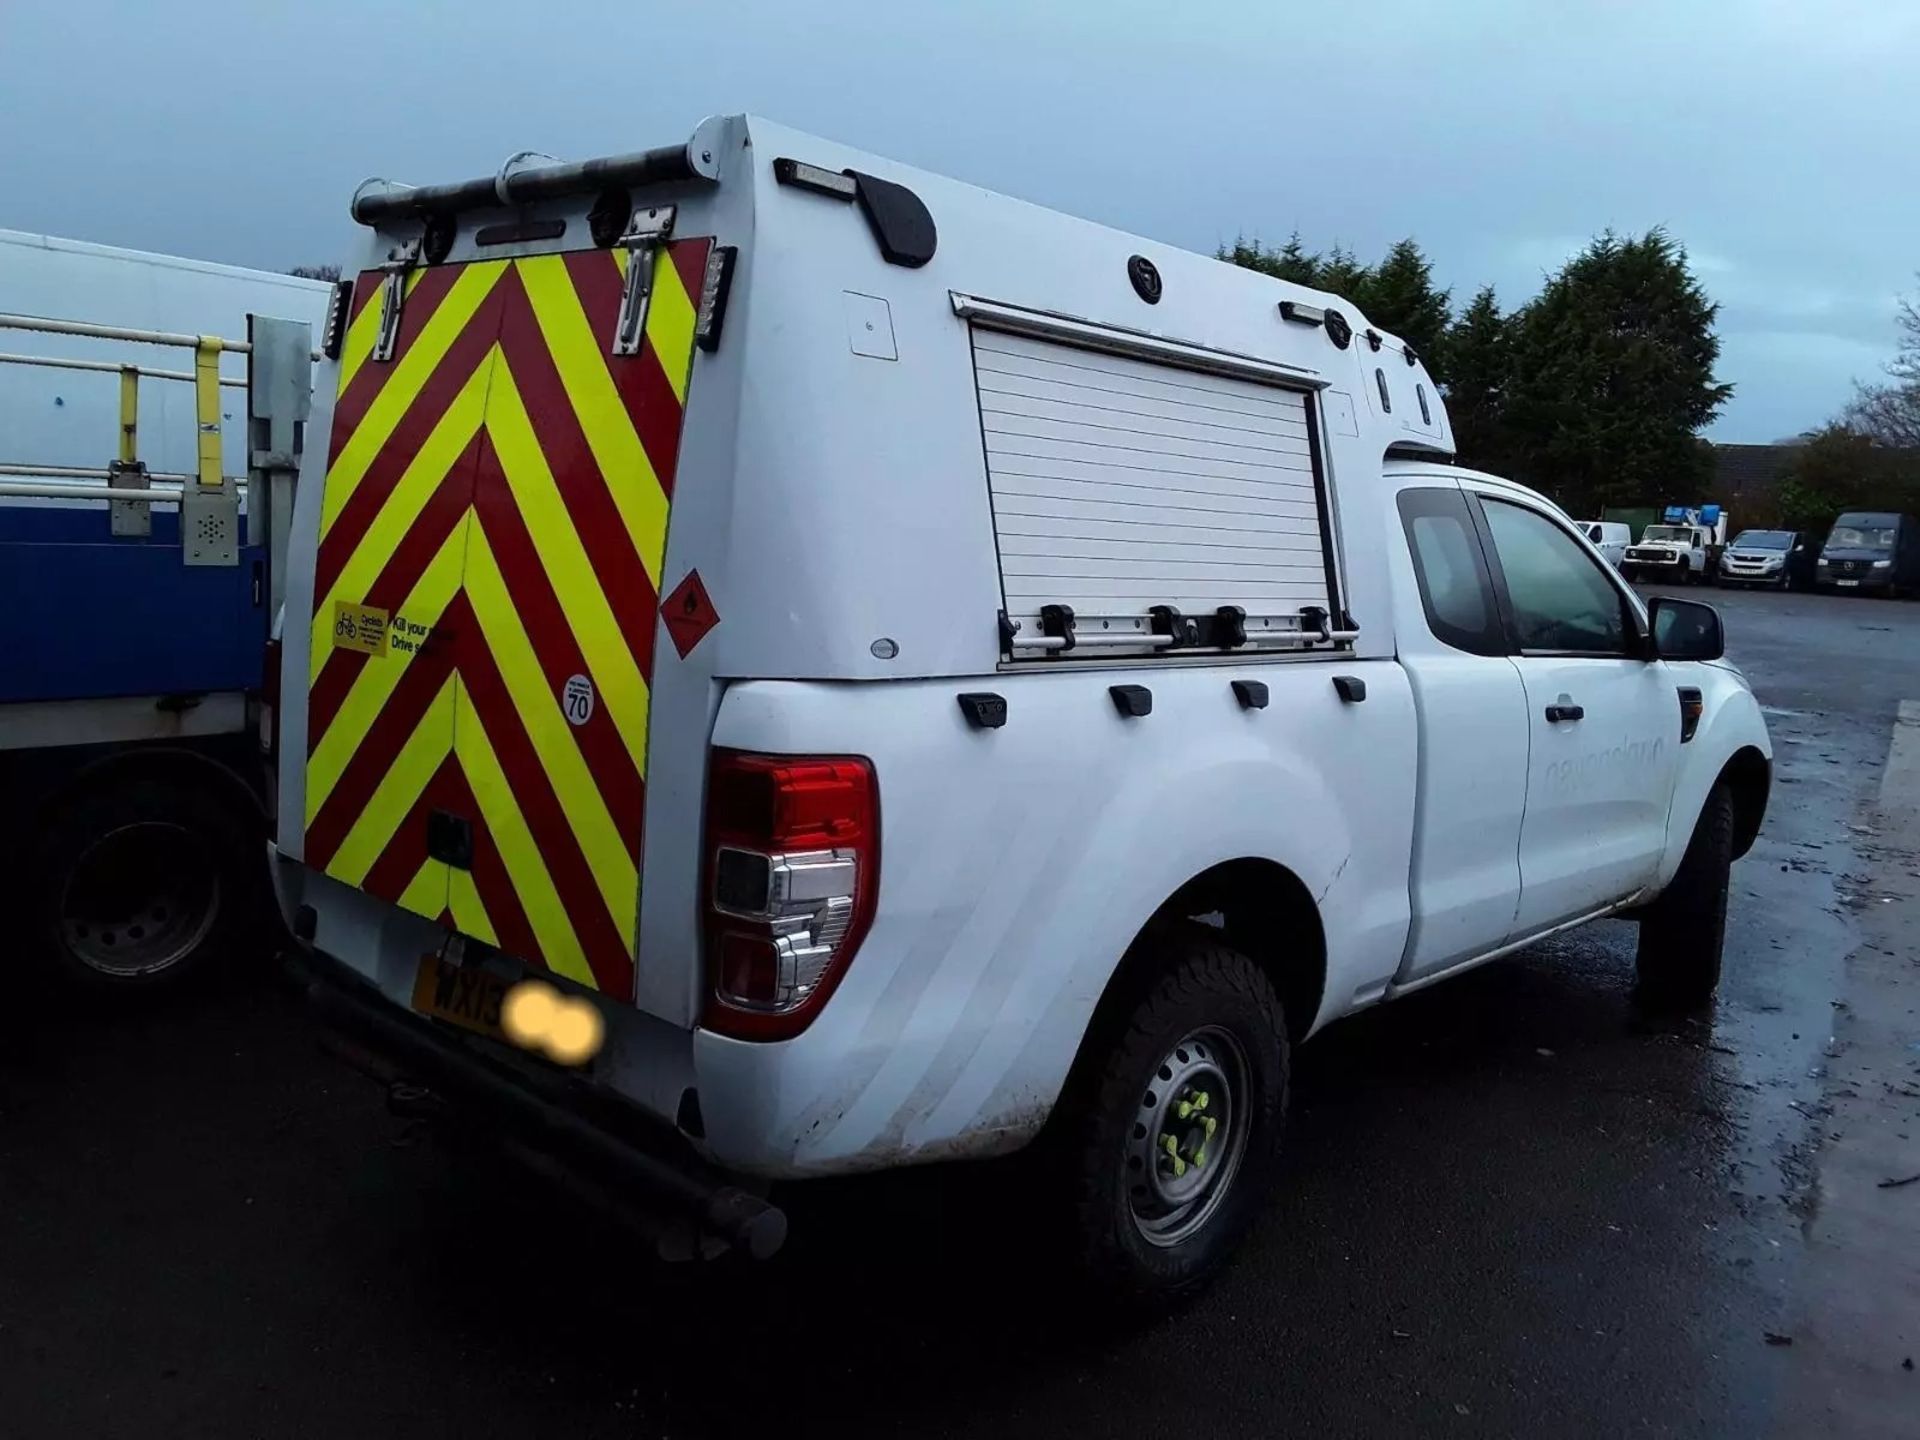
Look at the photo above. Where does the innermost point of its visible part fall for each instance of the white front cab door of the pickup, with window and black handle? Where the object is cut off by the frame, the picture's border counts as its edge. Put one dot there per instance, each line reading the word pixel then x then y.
pixel 1604 723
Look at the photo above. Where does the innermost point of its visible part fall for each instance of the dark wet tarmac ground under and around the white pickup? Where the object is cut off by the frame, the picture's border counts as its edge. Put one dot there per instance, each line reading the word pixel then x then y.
pixel 1512 1209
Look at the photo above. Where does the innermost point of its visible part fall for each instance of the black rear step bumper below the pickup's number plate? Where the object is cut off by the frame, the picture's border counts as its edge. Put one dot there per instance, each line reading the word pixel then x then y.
pixel 640 1168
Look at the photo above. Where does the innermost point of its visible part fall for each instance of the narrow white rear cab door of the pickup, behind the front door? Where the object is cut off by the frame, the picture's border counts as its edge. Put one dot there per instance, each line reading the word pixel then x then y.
pixel 1472 794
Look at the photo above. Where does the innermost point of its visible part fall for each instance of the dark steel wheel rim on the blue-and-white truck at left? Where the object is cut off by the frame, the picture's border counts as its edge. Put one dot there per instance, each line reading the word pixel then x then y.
pixel 139 900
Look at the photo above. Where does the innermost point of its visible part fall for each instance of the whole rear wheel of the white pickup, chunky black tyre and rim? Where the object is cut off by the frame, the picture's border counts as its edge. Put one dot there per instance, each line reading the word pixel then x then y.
pixel 1174 1126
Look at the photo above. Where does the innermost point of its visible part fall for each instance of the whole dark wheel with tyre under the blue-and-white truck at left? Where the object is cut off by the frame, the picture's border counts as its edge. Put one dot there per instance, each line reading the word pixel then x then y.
pixel 143 882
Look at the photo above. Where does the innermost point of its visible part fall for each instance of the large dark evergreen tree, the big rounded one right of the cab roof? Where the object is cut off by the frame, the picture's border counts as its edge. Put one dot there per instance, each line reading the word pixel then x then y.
pixel 1612 373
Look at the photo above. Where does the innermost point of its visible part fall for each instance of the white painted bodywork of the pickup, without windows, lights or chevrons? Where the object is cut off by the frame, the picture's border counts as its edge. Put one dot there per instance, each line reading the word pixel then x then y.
pixel 869 479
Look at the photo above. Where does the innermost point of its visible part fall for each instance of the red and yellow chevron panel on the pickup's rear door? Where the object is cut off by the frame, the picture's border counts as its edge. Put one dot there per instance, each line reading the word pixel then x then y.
pixel 492 527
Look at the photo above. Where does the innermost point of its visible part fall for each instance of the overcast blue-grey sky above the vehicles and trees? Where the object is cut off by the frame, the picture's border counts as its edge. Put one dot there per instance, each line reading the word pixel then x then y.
pixel 1777 141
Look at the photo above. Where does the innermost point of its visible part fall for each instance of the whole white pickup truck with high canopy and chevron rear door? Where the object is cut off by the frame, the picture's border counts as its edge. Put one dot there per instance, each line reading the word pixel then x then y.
pixel 1080 679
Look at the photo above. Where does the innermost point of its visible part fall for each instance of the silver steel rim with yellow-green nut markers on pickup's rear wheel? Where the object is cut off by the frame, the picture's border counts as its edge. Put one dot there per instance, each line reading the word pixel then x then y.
pixel 1188 1136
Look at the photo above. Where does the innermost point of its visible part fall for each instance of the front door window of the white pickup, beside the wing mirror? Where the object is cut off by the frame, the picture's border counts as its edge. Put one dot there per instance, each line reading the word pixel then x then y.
pixel 1560 598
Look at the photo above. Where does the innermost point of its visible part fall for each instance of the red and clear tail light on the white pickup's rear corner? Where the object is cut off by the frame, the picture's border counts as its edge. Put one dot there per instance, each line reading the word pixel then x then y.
pixel 792 875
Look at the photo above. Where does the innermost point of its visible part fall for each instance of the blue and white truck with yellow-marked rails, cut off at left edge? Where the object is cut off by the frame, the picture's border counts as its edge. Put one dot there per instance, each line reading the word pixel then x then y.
pixel 153 414
